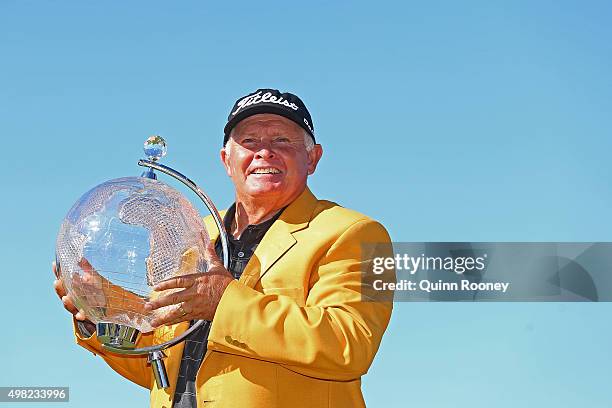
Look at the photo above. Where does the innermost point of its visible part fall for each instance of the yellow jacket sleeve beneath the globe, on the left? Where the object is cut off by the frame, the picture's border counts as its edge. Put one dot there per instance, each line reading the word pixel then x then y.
pixel 134 368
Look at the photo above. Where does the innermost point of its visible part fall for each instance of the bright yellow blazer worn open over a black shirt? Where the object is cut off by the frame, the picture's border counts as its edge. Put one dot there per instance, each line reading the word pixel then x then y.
pixel 293 331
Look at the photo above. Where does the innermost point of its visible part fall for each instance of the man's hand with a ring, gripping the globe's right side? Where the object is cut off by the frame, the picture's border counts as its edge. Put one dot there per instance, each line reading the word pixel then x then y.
pixel 200 295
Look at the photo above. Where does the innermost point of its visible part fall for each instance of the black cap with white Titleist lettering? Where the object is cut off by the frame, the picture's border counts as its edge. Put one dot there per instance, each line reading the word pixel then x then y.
pixel 270 101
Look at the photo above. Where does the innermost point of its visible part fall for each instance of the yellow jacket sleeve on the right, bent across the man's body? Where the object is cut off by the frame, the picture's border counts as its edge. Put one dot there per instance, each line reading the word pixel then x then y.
pixel 334 336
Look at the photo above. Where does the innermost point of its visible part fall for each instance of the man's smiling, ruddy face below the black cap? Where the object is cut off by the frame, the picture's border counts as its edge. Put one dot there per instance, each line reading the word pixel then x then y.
pixel 266 158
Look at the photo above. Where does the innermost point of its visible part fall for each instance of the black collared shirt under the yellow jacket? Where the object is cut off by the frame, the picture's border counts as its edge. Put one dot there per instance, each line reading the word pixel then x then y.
pixel 240 252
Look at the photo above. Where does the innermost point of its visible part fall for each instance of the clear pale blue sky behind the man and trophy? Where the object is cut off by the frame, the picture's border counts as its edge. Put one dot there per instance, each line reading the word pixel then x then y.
pixel 445 120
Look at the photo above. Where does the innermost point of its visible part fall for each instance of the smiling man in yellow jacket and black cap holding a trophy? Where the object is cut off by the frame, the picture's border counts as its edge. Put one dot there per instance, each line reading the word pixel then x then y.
pixel 290 324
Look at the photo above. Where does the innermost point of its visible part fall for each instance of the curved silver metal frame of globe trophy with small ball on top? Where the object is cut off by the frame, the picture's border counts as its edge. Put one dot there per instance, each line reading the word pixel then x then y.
pixel 155 149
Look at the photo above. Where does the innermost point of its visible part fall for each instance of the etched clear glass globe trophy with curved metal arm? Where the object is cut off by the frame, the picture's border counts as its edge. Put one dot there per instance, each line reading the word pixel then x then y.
pixel 123 237
